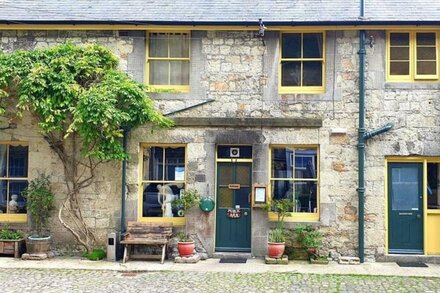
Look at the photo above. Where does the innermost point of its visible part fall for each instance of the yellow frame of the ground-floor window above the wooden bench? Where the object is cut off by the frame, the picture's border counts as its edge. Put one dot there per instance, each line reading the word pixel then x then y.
pixel 177 221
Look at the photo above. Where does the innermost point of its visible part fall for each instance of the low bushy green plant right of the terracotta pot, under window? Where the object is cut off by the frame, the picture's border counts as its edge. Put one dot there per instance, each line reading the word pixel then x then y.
pixel 311 239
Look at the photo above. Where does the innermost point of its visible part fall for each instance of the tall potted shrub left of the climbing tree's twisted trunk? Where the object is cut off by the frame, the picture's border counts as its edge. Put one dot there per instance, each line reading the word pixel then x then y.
pixel 40 202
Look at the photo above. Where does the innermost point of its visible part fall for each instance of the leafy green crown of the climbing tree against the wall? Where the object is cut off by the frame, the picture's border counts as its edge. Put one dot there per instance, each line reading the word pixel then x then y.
pixel 77 89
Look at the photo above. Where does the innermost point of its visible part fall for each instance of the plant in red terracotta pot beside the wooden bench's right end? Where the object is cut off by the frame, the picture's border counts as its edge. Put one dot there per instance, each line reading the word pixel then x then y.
pixel 189 199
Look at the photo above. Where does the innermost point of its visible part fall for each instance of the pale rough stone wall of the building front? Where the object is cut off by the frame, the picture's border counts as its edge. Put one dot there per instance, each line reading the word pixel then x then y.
pixel 234 100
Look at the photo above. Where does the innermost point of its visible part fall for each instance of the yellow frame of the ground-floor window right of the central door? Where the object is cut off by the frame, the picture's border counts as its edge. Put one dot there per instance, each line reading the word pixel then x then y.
pixel 295 216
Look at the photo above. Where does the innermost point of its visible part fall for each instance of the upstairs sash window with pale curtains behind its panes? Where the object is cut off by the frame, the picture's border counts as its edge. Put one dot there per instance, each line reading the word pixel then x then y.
pixel 168 60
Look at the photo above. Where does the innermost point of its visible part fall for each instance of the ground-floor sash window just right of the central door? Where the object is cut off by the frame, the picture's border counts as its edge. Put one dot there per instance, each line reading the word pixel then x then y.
pixel 295 175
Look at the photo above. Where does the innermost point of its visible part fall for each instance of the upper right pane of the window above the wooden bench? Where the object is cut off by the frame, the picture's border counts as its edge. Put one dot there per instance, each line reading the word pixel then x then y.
pixel 175 164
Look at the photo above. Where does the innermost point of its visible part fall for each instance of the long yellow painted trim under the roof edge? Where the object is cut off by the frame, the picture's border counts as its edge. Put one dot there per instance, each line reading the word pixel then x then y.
pixel 171 28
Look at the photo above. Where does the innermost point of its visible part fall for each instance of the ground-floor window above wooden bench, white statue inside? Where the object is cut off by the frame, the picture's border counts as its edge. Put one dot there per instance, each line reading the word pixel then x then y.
pixel 163 180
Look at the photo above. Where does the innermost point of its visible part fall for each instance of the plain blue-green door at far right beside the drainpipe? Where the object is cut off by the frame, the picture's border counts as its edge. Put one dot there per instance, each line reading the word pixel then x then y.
pixel 405 208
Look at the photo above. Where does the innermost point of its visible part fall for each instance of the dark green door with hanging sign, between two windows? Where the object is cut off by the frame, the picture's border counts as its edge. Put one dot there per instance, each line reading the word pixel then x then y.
pixel 233 193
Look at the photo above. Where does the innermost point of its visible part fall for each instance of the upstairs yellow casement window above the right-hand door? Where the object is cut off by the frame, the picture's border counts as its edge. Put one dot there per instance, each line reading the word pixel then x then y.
pixel 412 56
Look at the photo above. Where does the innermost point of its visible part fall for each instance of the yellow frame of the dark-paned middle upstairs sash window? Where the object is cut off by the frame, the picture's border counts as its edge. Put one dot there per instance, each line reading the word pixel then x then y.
pixel 301 89
